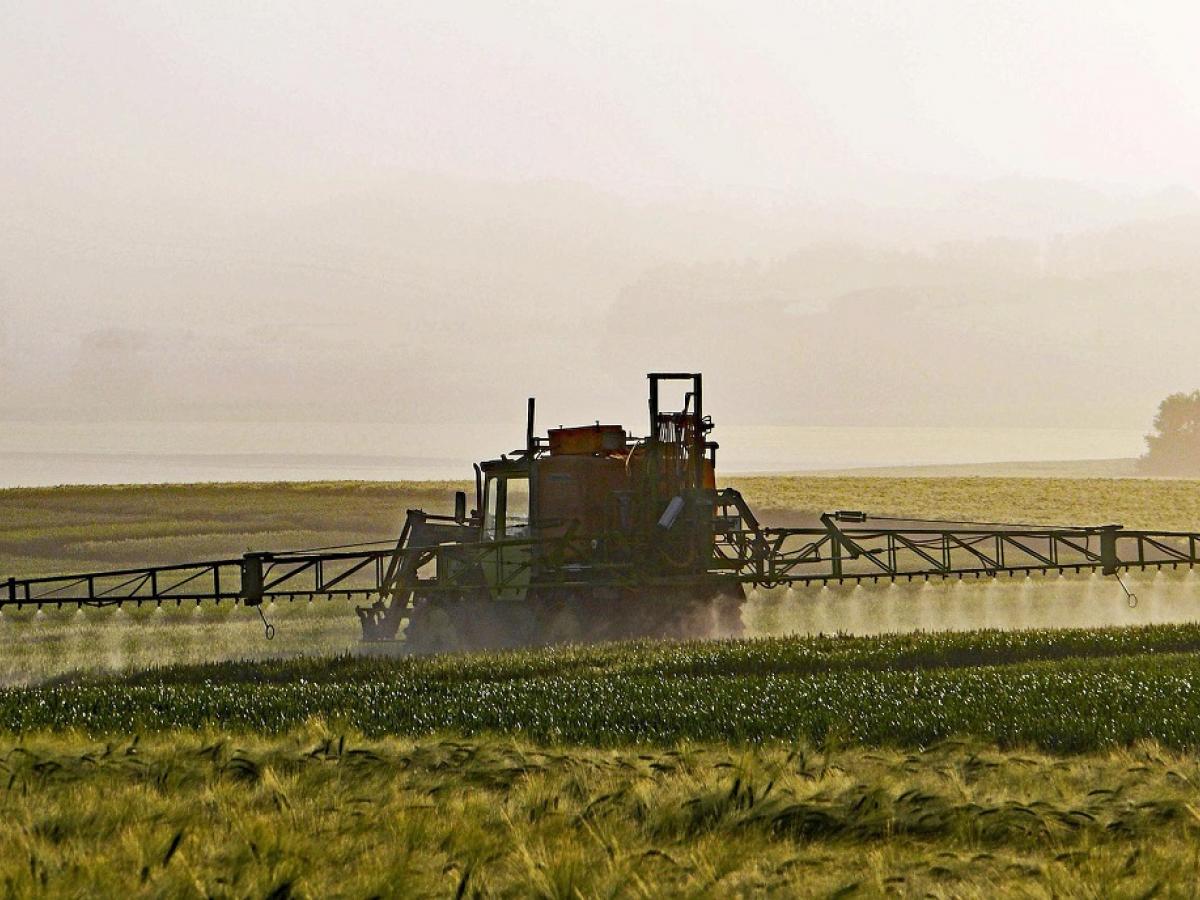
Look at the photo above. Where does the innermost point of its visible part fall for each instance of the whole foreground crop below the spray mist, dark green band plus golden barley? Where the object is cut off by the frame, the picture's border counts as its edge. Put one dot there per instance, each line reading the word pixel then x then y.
pixel 1035 764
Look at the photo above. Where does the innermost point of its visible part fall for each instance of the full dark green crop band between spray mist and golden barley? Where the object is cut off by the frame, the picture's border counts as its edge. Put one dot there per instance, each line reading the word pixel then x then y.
pixel 1069 693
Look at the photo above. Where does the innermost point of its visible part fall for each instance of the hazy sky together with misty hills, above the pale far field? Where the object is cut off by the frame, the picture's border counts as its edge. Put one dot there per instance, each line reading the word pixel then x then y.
pixel 927 214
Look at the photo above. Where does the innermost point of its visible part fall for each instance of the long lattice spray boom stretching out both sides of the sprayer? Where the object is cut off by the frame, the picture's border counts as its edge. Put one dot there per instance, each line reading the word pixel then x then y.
pixel 845 548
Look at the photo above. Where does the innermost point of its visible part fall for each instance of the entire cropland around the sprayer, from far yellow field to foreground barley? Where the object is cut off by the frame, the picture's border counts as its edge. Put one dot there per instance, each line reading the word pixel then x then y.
pixel 176 753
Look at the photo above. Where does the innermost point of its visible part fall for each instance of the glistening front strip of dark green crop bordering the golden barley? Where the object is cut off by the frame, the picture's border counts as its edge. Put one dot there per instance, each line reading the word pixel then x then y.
pixel 1064 706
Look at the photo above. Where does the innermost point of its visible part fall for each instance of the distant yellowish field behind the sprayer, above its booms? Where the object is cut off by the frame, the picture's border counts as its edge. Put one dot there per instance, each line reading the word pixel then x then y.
pixel 46 531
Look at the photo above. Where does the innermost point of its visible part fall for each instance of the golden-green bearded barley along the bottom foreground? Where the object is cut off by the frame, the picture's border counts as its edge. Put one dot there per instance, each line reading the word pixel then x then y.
pixel 320 813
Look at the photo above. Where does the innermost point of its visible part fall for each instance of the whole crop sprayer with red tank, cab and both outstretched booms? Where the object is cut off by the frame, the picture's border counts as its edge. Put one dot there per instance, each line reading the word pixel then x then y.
pixel 592 533
